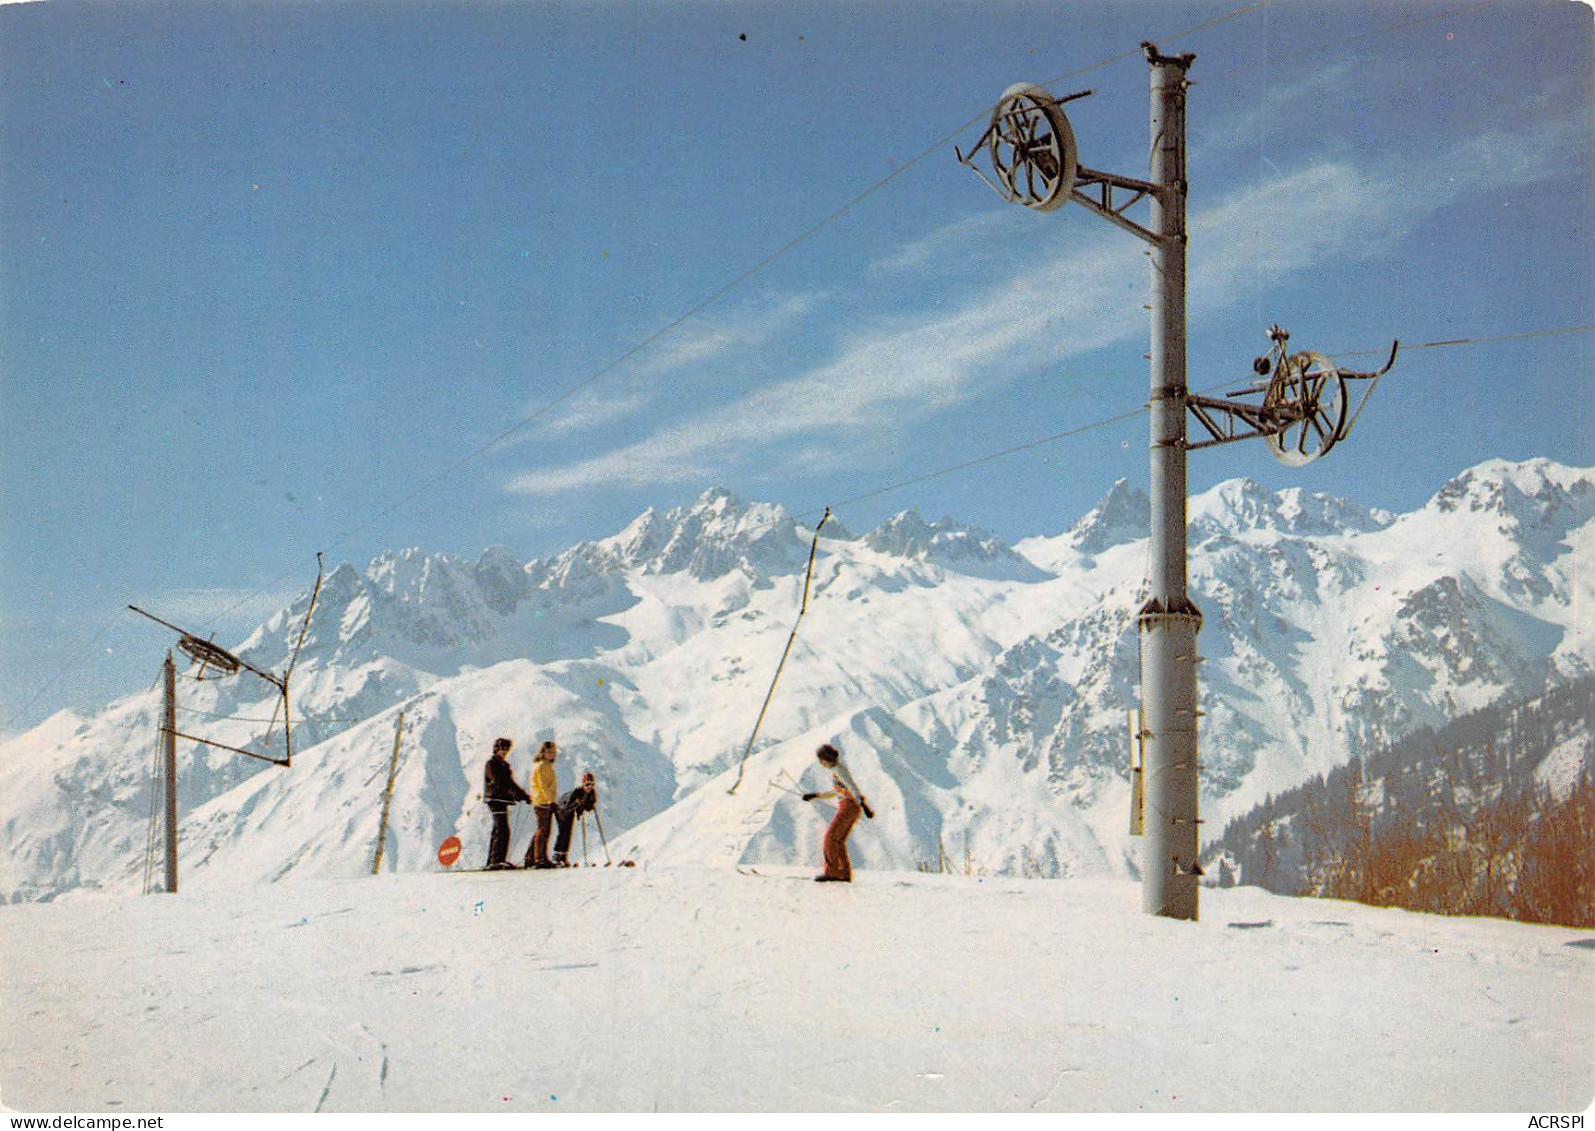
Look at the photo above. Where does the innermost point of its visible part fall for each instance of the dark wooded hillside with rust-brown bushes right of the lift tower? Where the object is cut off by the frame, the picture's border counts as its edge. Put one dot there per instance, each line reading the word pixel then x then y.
pixel 1454 822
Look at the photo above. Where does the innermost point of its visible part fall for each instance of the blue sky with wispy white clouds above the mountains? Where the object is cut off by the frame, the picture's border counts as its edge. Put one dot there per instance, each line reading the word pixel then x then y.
pixel 269 269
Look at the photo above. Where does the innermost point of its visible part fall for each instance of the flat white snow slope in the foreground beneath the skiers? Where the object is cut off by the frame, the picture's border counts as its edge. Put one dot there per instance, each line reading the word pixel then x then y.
pixel 679 990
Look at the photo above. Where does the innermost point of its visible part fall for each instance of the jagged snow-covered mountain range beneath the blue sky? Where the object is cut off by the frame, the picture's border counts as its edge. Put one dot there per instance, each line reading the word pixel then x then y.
pixel 980 692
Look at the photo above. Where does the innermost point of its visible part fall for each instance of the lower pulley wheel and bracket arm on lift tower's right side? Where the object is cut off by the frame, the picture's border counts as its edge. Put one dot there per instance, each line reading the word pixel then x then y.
pixel 1306 404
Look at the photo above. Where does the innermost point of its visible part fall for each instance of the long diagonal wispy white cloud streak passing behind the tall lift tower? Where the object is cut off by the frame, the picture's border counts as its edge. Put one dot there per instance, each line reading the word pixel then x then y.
pixel 916 366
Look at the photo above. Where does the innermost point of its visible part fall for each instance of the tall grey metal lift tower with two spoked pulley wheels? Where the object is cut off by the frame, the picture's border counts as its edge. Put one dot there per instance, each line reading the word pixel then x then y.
pixel 1031 149
